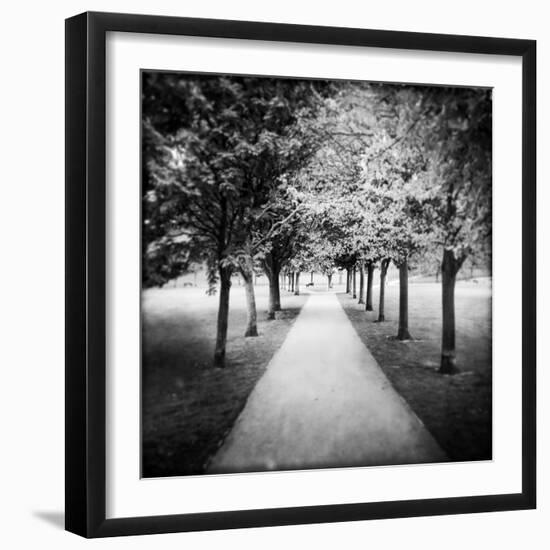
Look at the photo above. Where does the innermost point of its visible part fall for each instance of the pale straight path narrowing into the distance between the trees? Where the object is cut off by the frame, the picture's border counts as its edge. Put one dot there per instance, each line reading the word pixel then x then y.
pixel 324 402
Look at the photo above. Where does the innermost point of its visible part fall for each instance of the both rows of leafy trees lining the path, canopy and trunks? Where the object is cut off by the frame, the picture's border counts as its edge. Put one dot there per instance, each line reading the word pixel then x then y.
pixel 285 175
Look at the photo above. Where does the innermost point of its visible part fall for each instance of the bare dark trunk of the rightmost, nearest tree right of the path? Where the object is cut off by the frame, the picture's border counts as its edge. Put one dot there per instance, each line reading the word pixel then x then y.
pixel 449 269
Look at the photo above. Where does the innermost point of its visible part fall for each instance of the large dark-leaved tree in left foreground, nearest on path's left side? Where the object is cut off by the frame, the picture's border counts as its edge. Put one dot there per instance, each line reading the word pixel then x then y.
pixel 225 142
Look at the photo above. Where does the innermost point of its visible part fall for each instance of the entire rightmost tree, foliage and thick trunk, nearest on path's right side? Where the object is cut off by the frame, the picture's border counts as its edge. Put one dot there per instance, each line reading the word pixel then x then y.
pixel 459 135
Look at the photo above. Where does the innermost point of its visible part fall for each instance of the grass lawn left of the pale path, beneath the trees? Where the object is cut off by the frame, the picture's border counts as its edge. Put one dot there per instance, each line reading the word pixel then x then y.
pixel 187 406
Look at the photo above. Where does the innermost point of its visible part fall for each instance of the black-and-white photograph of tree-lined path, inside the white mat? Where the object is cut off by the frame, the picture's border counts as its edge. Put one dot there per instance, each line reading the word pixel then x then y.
pixel 316 274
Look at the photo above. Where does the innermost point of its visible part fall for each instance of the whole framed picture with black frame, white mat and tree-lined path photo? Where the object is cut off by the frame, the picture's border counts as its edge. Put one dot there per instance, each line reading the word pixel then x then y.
pixel 300 274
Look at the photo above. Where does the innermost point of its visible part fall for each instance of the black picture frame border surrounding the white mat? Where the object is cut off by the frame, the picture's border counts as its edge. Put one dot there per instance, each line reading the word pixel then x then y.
pixel 86 263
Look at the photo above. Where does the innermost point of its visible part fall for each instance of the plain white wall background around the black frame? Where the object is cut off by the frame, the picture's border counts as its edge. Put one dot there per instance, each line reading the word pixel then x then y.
pixel 32 271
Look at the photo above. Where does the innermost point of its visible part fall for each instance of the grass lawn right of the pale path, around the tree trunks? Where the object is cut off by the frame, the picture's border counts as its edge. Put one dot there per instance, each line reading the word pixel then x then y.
pixel 456 409
